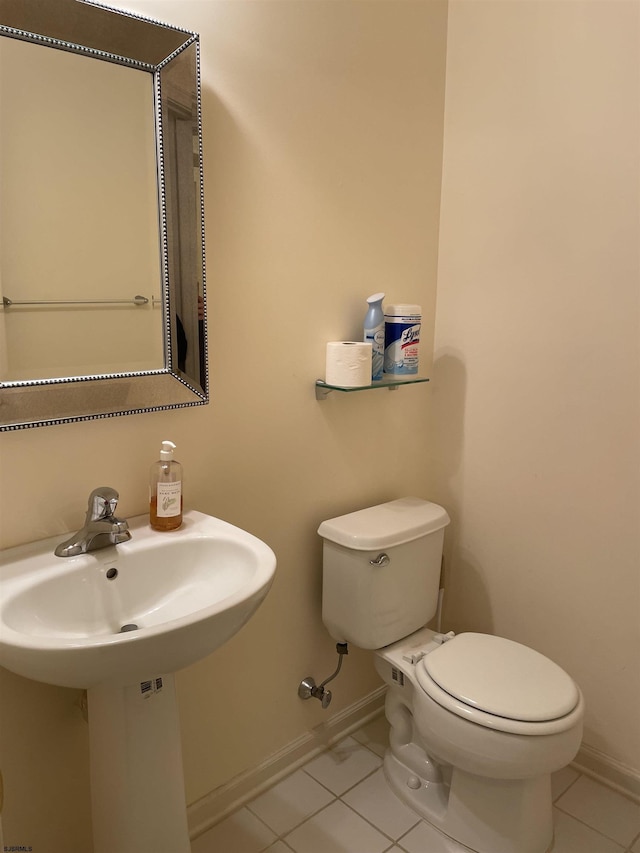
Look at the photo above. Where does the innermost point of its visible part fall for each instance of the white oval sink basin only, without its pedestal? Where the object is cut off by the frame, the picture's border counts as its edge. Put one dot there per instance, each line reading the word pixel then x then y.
pixel 187 592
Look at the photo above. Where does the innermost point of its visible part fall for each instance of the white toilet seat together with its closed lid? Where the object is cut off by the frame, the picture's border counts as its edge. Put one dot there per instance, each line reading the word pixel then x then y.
pixel 499 684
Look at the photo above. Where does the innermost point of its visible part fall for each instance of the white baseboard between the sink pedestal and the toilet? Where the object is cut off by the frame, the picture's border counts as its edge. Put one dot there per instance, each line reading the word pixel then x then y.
pixel 213 807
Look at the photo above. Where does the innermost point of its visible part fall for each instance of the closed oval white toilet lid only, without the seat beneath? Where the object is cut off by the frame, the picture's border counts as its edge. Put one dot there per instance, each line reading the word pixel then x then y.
pixel 502 677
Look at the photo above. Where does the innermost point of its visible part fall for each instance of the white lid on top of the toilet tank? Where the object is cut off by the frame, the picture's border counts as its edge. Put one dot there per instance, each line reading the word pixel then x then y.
pixel 384 525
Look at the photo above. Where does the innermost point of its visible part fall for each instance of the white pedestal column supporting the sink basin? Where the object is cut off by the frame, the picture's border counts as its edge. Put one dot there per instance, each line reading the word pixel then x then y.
pixel 137 783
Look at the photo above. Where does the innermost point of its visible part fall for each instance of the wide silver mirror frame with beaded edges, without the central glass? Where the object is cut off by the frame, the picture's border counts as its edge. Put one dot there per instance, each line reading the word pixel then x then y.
pixel 104 33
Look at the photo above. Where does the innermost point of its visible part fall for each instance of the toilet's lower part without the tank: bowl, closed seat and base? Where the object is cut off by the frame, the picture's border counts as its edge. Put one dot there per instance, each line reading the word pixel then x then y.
pixel 479 776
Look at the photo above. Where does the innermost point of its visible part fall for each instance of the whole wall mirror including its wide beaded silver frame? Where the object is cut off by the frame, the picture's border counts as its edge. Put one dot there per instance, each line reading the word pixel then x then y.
pixel 101 236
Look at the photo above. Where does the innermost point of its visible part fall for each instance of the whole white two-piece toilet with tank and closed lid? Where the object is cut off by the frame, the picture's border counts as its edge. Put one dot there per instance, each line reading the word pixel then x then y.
pixel 478 723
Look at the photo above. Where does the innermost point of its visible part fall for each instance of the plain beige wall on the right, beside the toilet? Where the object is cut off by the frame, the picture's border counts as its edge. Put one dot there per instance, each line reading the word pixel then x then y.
pixel 537 365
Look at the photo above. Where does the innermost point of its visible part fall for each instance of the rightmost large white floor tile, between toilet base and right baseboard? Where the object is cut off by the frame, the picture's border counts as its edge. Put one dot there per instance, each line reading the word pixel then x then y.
pixel 602 809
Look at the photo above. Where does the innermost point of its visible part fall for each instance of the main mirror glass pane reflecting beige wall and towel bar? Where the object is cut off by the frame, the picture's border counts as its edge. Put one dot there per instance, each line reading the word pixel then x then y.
pixel 84 149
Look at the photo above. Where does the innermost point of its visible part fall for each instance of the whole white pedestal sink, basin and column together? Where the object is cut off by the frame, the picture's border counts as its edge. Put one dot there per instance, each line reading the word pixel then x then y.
pixel 119 622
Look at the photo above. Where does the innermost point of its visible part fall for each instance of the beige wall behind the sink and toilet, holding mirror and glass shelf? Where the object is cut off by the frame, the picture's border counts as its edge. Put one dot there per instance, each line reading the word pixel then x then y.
pixel 323 151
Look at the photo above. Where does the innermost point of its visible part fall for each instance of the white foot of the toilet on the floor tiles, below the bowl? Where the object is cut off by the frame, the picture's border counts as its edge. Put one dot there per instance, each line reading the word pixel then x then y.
pixel 484 815
